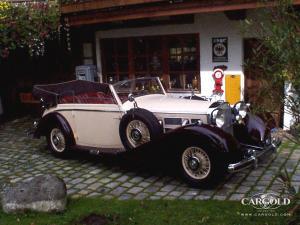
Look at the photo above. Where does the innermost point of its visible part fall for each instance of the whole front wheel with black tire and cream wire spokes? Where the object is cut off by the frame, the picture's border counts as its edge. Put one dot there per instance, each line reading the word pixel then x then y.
pixel 201 167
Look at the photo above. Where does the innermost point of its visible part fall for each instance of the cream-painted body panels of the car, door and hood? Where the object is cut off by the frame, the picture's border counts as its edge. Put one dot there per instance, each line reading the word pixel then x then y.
pixel 83 117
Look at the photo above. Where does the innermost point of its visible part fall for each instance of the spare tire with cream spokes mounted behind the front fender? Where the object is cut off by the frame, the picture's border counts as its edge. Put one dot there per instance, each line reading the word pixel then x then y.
pixel 137 127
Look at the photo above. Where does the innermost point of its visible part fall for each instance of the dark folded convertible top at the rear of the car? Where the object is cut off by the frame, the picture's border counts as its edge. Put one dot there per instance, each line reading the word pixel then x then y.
pixel 52 93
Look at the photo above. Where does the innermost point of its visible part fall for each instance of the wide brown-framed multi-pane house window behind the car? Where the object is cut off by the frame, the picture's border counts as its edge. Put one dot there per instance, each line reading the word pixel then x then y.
pixel 173 58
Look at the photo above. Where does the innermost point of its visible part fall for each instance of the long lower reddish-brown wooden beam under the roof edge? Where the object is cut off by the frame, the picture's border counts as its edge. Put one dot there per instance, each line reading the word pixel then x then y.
pixel 165 10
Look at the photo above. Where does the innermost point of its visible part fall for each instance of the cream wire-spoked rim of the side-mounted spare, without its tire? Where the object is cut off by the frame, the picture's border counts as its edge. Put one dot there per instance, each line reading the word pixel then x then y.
pixel 137 133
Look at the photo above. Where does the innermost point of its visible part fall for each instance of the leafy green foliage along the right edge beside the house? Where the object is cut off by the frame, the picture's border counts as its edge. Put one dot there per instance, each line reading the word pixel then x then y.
pixel 278 56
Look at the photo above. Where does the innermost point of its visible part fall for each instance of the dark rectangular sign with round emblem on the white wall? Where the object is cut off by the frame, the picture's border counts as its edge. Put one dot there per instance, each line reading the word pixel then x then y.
pixel 220 49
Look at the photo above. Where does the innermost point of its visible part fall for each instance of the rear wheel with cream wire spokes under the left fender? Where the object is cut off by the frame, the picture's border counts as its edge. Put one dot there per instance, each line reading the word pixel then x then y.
pixel 57 142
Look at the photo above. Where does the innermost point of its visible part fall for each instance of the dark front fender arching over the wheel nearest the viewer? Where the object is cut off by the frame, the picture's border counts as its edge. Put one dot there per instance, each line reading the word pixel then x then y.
pixel 210 137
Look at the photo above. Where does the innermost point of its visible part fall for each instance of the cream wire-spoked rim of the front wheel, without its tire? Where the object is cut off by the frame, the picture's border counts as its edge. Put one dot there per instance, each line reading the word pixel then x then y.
pixel 196 162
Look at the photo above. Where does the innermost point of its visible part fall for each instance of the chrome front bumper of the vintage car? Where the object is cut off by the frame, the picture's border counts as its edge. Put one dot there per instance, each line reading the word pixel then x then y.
pixel 256 155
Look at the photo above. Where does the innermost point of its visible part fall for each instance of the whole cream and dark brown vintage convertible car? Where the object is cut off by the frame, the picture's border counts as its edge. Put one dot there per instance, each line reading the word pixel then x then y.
pixel 205 139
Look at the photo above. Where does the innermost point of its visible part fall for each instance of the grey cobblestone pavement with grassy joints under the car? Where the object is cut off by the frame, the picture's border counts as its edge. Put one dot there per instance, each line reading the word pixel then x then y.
pixel 22 157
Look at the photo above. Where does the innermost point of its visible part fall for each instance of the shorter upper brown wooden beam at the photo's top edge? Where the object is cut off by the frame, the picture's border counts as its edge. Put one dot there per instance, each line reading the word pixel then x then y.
pixel 100 4
